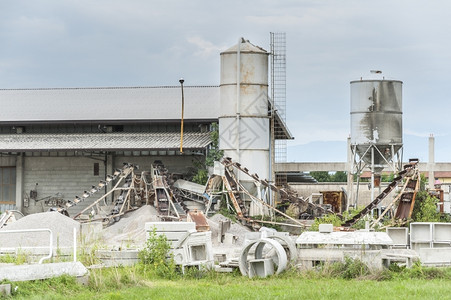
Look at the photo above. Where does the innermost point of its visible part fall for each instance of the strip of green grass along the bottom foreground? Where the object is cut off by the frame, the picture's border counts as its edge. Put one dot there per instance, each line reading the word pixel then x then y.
pixel 140 283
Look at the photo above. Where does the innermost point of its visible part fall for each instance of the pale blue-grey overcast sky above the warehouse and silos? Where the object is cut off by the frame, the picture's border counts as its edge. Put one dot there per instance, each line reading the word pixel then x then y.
pixel 81 43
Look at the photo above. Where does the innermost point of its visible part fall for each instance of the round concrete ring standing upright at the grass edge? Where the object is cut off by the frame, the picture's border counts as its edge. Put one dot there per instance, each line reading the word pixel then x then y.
pixel 281 255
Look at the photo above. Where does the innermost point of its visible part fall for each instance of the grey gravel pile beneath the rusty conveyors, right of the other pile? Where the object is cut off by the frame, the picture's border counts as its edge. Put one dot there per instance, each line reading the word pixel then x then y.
pixel 130 230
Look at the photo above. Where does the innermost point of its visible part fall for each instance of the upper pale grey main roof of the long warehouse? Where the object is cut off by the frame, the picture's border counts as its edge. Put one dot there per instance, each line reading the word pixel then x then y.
pixel 97 104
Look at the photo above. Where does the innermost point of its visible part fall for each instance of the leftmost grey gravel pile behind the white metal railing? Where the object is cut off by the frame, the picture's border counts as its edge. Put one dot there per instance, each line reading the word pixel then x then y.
pixel 61 226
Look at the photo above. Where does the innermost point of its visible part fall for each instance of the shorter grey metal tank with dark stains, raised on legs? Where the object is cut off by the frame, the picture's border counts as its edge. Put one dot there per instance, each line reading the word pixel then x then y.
pixel 376 120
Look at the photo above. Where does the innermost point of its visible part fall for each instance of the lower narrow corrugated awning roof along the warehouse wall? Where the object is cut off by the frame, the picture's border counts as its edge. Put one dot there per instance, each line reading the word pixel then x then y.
pixel 103 141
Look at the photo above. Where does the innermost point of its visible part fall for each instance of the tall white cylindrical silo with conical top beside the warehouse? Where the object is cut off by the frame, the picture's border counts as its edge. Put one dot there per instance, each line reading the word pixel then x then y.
pixel 244 122
